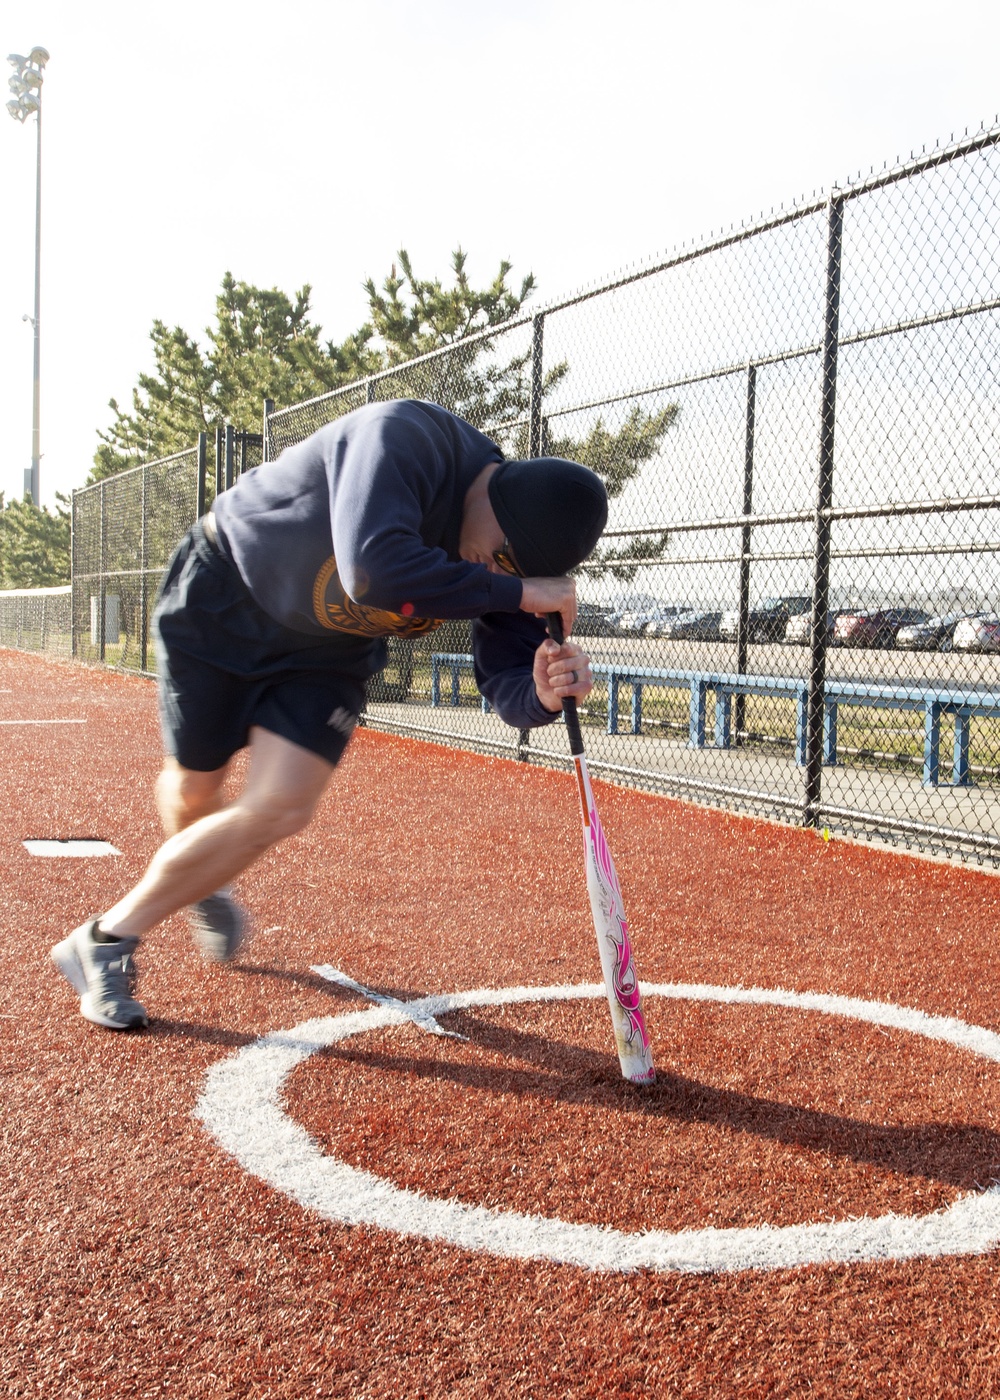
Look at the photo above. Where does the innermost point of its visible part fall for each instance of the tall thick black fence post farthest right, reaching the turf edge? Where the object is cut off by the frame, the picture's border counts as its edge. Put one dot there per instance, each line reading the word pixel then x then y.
pixel 821 583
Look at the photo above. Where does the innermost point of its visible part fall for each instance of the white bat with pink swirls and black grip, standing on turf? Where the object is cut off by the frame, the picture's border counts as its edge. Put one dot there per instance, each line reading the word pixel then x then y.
pixel 609 911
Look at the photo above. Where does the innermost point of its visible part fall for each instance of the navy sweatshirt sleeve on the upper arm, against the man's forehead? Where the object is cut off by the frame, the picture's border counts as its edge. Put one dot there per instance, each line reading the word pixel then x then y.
pixel 389 485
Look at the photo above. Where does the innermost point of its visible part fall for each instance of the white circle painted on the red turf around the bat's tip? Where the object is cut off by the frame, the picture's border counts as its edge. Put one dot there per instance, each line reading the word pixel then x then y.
pixel 242 1107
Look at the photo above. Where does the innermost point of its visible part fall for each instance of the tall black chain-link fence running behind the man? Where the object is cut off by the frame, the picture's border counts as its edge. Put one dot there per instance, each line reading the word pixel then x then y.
pixel 795 608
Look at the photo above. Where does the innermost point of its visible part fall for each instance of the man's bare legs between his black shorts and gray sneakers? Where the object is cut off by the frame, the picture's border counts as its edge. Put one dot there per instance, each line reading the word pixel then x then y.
pixel 282 790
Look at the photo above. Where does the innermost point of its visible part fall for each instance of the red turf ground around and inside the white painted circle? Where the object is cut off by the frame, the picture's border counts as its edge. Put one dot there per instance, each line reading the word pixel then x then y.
pixel 141 1261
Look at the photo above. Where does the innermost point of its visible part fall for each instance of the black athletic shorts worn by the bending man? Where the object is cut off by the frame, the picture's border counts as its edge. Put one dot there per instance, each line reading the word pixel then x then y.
pixel 225 666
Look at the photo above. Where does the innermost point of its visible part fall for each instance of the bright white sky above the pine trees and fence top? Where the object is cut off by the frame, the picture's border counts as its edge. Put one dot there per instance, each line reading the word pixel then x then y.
pixel 307 142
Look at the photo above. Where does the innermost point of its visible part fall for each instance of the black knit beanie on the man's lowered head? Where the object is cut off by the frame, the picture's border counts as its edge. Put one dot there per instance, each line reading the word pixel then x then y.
pixel 551 510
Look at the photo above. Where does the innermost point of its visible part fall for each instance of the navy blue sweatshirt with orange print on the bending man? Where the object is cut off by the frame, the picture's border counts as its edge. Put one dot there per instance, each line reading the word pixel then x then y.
pixel 355 533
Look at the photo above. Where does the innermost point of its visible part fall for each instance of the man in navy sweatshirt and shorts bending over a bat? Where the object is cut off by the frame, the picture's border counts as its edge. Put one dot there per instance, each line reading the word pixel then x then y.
pixel 272 617
